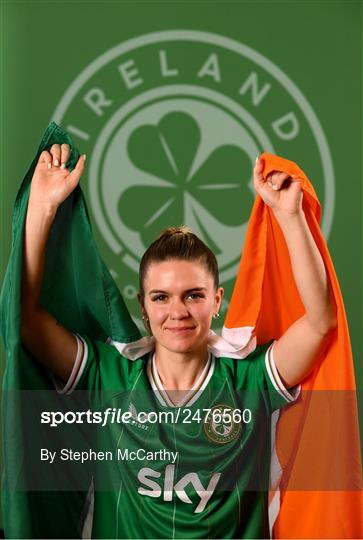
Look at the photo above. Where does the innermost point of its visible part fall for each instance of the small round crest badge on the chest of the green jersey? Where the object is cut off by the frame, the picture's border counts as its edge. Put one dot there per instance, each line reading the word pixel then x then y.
pixel 219 425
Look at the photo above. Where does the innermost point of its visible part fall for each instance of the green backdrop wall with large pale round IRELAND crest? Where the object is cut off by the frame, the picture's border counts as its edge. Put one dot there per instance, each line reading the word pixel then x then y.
pixel 172 101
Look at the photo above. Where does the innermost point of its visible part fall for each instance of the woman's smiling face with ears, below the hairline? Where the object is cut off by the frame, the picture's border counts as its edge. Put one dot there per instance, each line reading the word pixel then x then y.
pixel 180 300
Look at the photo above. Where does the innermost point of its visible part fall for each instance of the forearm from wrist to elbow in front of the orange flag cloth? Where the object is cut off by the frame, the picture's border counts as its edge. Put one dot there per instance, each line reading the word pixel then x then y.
pixel 308 270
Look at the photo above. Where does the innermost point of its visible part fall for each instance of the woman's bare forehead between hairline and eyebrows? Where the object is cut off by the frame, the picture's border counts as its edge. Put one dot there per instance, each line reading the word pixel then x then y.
pixel 177 274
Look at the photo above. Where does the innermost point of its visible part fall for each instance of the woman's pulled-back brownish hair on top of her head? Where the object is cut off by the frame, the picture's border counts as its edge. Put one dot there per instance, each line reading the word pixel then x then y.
pixel 178 243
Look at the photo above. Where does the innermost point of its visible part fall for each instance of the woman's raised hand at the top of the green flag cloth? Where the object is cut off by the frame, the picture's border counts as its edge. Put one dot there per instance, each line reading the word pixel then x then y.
pixel 52 182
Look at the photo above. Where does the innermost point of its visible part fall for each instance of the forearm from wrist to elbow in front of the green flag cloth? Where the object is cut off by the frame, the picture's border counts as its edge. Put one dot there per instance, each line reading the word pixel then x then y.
pixel 37 228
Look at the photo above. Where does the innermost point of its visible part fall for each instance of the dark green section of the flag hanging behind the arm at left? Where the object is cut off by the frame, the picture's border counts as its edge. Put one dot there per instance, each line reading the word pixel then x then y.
pixel 79 291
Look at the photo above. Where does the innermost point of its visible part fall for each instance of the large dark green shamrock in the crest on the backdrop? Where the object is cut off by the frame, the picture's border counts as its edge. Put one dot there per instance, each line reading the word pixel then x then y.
pixel 167 151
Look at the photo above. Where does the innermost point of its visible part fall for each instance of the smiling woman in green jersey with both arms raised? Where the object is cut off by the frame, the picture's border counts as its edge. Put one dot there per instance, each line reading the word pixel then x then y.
pixel 215 484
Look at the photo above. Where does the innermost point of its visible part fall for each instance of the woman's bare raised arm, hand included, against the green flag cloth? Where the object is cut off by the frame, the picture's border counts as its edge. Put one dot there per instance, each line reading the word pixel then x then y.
pixel 52 344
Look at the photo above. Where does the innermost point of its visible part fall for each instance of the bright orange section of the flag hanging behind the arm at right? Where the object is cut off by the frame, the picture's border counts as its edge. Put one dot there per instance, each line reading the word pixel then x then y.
pixel 317 445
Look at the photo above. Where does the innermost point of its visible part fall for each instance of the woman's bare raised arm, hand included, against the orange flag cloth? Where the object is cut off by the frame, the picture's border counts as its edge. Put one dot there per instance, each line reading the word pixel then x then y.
pixel 298 349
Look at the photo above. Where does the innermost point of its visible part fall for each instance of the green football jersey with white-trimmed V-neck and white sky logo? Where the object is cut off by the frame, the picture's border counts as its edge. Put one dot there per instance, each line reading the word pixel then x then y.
pixel 196 470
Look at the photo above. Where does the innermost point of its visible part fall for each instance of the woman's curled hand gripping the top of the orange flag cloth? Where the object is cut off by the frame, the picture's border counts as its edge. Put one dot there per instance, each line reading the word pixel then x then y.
pixel 280 192
